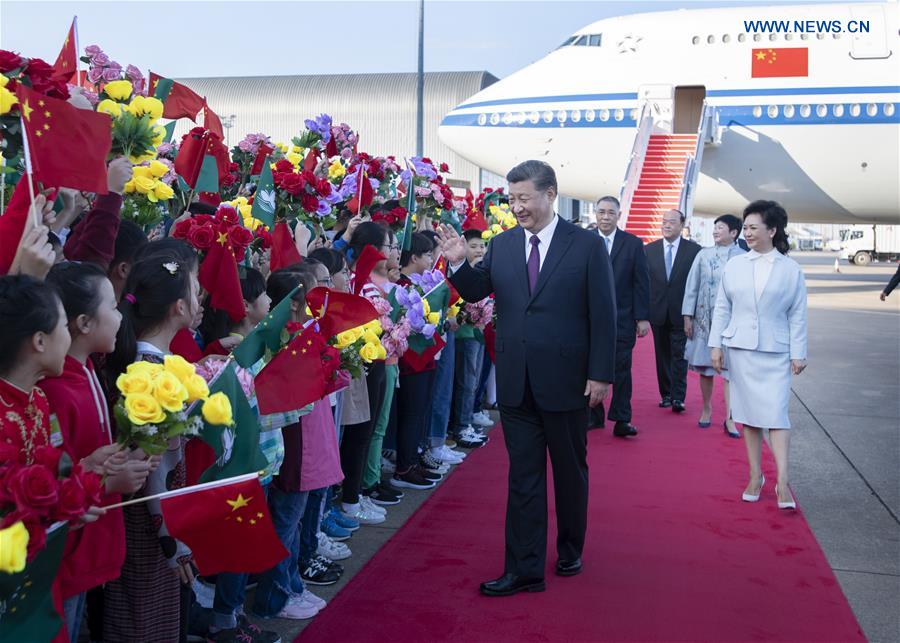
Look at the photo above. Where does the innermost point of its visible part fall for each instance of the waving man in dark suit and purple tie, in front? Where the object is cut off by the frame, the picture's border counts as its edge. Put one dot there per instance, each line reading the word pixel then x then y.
pixel 555 356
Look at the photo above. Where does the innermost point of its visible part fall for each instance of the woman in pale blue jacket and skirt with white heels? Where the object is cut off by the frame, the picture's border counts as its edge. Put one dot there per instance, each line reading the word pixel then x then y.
pixel 760 318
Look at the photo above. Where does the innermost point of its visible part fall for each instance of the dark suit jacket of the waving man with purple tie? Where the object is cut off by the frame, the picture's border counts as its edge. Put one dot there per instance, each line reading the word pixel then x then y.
pixel 565 332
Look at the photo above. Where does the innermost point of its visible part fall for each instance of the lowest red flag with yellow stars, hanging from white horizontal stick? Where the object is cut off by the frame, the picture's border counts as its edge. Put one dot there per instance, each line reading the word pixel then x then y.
pixel 226 524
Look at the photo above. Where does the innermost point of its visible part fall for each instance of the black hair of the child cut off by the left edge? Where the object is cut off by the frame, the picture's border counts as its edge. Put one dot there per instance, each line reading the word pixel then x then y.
pixel 27 306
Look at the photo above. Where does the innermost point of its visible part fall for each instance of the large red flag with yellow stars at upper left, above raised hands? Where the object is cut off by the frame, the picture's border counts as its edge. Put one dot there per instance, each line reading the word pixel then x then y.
pixel 67 146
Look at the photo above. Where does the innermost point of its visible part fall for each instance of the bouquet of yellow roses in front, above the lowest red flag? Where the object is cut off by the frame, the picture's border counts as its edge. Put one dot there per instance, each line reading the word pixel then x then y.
pixel 154 405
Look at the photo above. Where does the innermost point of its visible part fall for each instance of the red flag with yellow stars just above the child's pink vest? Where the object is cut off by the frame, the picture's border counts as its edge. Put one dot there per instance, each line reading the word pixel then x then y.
pixel 295 376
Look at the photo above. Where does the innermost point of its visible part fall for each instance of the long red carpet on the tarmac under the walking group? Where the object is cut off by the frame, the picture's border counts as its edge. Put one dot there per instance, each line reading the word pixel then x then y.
pixel 672 553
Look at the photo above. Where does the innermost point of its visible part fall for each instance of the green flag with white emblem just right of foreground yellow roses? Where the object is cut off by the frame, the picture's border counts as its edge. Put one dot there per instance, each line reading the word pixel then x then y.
pixel 236 447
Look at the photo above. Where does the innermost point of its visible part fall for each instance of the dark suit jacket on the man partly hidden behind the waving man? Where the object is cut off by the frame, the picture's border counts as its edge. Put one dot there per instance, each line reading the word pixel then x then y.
pixel 632 281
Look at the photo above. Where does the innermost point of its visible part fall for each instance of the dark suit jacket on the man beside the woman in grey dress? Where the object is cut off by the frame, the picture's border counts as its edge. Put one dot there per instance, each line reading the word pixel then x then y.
pixel 666 296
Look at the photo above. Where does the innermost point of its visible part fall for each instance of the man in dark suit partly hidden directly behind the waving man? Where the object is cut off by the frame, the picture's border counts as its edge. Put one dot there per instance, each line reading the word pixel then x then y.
pixel 626 252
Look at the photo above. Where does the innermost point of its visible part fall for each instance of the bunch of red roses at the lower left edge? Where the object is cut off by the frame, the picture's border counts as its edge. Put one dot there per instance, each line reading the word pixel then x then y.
pixel 41 490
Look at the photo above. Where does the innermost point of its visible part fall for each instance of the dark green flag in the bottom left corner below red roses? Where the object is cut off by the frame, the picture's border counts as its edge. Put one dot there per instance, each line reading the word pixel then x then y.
pixel 26 603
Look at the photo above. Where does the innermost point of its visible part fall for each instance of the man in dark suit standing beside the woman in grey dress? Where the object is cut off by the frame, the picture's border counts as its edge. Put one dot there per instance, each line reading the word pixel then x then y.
pixel 669 260
